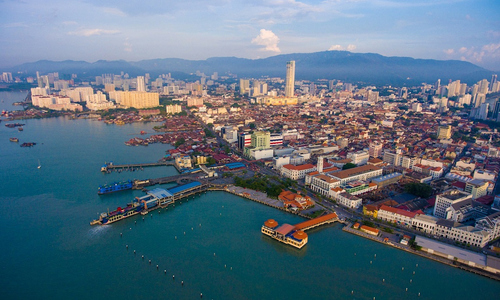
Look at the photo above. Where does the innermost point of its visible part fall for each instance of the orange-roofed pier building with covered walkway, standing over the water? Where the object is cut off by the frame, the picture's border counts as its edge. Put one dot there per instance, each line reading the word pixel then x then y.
pixel 295 235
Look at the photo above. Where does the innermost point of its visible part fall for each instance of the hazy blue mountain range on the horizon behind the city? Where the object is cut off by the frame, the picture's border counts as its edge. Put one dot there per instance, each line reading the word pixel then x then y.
pixel 343 65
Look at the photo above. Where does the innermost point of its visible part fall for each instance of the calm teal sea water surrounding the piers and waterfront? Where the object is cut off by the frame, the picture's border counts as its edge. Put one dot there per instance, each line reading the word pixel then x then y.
pixel 49 250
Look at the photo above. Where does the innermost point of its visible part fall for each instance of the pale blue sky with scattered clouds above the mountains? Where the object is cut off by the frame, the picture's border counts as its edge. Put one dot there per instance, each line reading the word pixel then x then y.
pixel 133 30
